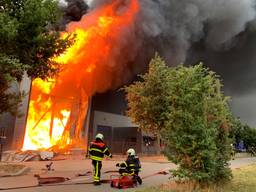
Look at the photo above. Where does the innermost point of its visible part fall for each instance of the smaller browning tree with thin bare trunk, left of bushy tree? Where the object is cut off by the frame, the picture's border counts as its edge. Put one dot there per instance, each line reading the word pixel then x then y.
pixel 148 104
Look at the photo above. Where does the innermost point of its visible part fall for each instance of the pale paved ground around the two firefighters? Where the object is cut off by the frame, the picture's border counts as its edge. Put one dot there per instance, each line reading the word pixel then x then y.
pixel 69 168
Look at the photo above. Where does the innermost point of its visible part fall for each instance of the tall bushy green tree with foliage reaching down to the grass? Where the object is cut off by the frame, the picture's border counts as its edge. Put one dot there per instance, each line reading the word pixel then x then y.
pixel 197 133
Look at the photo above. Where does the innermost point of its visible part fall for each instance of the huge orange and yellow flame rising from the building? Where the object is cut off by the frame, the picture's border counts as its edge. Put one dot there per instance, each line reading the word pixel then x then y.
pixel 94 63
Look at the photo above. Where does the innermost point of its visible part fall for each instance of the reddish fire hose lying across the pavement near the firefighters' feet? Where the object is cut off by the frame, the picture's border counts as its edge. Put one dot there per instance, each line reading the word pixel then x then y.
pixel 58 181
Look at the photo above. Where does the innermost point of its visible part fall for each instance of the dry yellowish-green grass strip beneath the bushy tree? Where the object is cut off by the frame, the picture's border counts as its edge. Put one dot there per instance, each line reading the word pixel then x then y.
pixel 244 181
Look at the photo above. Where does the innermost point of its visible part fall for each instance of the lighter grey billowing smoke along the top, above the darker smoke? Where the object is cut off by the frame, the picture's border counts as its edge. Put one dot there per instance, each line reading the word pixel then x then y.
pixel 177 24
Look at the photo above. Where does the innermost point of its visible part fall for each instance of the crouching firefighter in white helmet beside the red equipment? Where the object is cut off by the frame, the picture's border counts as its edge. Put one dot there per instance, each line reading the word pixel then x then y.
pixel 131 166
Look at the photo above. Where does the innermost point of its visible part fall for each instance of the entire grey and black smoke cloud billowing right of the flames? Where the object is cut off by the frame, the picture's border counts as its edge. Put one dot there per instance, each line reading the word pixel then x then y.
pixel 218 32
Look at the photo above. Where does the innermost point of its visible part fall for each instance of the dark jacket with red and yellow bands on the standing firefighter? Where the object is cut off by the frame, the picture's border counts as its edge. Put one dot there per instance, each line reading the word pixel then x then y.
pixel 98 149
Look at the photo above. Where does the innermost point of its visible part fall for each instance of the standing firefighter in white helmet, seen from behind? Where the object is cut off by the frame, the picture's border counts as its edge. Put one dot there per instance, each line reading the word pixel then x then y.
pixel 97 151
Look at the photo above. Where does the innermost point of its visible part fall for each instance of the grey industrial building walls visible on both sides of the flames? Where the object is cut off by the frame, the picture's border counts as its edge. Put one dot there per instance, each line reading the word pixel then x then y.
pixel 106 114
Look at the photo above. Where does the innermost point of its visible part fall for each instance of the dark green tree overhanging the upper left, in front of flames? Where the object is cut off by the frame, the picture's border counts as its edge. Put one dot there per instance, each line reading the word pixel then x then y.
pixel 28 41
